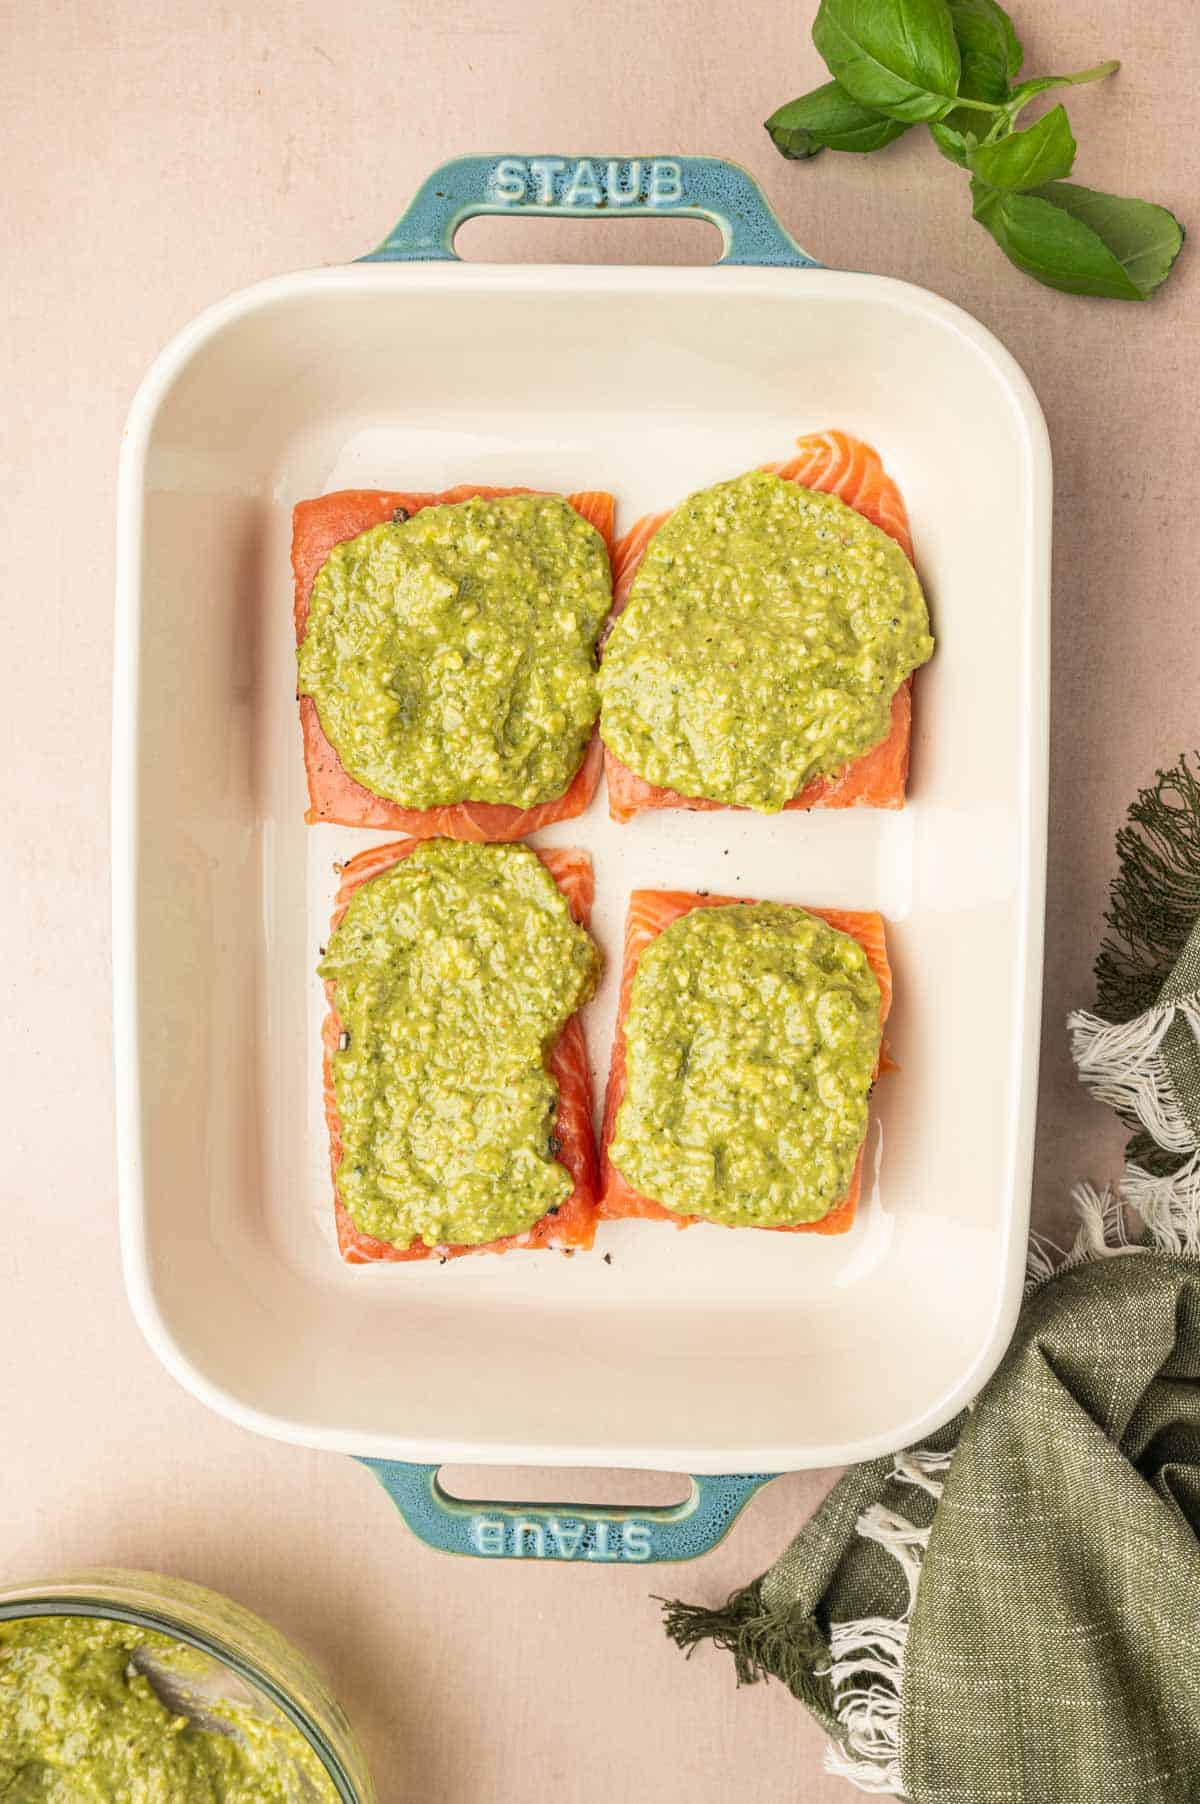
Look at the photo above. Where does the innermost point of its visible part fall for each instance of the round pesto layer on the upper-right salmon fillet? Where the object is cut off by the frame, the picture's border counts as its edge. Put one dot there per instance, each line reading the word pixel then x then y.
pixel 764 640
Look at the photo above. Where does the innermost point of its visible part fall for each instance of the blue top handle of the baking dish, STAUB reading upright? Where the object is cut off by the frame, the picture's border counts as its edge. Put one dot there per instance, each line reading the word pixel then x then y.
pixel 593 189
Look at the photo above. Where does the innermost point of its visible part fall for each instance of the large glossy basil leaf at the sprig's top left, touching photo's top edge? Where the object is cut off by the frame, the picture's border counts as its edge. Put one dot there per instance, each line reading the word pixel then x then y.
pixel 900 59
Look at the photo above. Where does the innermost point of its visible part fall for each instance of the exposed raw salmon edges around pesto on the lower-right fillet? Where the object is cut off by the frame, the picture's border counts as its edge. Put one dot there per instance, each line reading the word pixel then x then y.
pixel 651 912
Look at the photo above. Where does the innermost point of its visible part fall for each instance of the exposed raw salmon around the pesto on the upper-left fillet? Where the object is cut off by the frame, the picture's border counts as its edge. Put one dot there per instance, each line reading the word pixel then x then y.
pixel 318 528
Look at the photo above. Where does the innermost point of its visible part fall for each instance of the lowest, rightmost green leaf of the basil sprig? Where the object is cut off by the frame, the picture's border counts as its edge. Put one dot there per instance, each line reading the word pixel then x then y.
pixel 1082 241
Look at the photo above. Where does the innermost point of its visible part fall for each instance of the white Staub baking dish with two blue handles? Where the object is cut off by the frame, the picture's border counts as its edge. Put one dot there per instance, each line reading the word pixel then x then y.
pixel 701 1352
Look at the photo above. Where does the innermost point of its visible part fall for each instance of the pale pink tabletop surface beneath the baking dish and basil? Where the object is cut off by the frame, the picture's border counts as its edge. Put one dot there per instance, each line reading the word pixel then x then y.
pixel 162 156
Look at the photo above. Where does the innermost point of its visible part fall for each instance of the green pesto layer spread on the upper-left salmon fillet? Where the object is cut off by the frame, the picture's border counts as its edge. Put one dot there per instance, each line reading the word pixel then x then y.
pixel 452 658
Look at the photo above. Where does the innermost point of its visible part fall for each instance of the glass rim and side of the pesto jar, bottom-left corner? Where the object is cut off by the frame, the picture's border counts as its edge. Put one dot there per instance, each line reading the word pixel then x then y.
pixel 248 1662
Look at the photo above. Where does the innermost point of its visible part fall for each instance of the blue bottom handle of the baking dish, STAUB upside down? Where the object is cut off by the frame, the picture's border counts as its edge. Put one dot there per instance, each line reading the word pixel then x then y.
pixel 566 1531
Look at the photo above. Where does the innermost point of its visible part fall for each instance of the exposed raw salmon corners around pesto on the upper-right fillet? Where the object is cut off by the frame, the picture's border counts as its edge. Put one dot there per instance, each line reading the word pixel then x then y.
pixel 847 468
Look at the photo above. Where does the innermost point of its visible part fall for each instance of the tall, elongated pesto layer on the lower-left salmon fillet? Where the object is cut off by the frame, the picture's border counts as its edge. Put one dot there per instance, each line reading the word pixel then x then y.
pixel 456 973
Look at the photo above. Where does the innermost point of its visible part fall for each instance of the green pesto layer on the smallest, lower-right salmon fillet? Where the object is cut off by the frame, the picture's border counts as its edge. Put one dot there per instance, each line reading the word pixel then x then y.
pixel 752 1042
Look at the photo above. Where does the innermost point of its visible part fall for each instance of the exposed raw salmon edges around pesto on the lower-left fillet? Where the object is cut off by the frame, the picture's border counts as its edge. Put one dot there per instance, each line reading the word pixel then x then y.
pixel 575 1222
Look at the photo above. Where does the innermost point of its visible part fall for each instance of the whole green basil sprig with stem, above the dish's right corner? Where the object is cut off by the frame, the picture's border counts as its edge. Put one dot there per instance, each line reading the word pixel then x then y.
pixel 954 66
